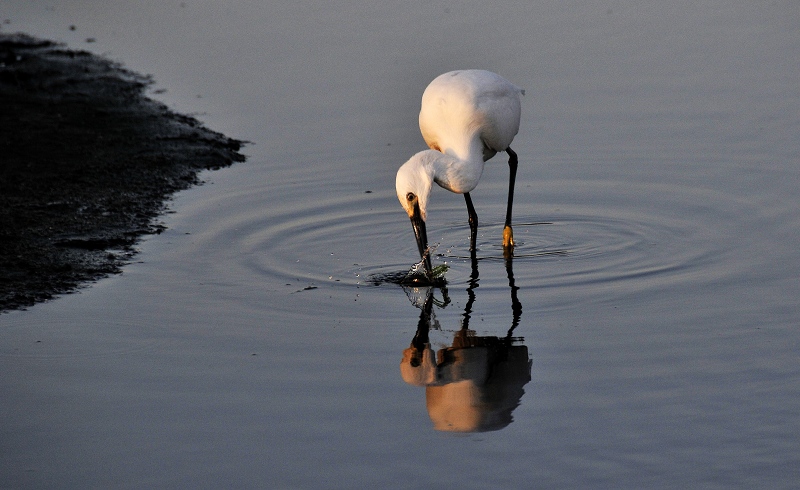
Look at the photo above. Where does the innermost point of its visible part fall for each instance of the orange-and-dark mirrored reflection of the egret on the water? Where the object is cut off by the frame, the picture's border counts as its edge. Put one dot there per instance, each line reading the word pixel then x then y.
pixel 475 384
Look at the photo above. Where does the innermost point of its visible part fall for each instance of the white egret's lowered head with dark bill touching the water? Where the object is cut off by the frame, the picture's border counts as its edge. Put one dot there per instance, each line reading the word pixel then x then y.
pixel 413 185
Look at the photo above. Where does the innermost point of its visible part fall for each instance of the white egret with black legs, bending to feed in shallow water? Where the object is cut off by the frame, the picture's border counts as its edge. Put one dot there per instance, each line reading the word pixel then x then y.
pixel 466 118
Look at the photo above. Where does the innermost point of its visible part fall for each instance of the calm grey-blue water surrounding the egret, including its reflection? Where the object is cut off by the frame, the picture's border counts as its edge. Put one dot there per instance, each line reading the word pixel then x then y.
pixel 645 334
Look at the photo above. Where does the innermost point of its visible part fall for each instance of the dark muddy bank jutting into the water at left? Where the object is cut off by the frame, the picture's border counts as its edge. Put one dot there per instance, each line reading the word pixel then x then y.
pixel 86 165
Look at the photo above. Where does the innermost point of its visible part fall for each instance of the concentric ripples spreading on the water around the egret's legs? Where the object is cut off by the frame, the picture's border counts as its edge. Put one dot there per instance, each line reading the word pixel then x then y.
pixel 615 239
